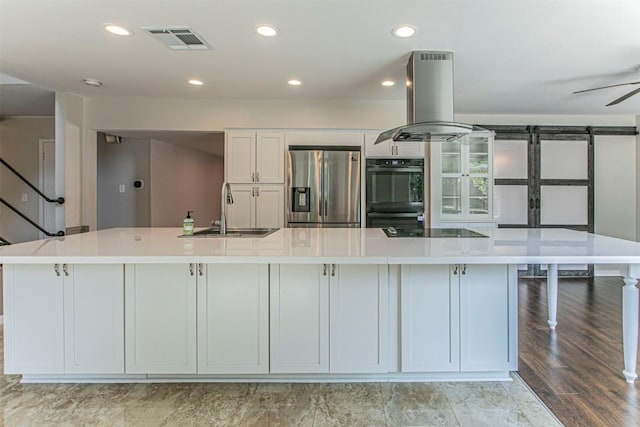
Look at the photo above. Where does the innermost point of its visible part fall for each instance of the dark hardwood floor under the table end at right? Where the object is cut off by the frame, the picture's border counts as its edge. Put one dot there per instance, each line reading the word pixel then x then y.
pixel 577 370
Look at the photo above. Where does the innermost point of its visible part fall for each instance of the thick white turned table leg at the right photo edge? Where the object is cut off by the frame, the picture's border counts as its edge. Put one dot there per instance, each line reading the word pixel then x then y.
pixel 630 323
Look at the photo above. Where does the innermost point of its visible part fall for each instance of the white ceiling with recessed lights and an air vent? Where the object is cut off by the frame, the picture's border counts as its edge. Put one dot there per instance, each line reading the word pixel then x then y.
pixel 511 56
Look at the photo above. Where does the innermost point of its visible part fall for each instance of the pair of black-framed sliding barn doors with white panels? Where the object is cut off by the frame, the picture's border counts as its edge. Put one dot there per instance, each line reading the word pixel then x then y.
pixel 544 179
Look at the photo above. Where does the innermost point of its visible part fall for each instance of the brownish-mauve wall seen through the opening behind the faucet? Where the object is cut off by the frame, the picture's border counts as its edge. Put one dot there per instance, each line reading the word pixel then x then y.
pixel 183 179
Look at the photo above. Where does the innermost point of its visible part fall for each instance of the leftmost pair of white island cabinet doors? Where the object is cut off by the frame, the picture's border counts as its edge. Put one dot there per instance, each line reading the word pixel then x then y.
pixel 64 319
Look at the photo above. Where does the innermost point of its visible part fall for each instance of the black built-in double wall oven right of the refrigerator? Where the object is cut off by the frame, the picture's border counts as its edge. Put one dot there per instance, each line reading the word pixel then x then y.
pixel 395 193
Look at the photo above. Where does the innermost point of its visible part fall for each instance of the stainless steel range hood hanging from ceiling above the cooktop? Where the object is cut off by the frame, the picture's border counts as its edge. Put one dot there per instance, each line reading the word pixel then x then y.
pixel 429 101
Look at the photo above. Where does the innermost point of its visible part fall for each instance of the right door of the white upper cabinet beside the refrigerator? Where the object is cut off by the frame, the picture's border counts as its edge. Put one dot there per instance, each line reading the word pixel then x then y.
pixel 270 158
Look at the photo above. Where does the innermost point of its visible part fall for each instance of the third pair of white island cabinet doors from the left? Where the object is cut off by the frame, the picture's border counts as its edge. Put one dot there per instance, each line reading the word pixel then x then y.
pixel 329 318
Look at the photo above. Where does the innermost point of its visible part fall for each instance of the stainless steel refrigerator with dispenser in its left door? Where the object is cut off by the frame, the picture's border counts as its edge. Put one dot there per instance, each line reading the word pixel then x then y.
pixel 323 186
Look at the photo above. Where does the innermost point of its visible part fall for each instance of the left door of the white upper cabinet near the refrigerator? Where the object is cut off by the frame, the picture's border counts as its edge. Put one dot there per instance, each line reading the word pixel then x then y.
pixel 240 157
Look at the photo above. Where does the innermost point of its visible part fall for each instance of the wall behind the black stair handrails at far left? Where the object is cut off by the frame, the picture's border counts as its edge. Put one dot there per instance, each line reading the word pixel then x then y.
pixel 19 146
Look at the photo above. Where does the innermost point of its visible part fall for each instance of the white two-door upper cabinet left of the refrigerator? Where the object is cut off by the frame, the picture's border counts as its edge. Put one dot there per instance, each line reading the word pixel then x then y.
pixel 254 157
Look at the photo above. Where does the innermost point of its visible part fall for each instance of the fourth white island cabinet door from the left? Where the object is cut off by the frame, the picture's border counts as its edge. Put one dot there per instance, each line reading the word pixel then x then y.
pixel 233 319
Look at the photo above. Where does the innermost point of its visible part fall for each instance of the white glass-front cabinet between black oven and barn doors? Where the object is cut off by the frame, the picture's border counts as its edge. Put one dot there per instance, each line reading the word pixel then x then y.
pixel 463 186
